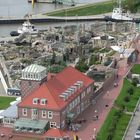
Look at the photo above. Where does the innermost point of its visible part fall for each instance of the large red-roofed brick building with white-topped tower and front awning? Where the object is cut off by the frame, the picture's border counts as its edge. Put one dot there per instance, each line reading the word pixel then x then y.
pixel 51 103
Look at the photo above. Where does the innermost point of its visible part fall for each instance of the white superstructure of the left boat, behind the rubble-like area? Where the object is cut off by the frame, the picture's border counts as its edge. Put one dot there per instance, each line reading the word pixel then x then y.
pixel 27 27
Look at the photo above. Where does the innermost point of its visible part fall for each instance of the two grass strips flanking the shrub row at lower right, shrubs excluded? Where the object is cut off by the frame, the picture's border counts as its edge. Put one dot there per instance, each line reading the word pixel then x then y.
pixel 121 125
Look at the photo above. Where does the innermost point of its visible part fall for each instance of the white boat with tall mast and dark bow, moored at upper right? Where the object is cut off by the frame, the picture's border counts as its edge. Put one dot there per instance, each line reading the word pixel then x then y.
pixel 120 14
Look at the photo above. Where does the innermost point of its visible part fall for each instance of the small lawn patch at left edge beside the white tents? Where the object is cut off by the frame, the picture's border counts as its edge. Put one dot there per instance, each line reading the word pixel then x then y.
pixel 5 102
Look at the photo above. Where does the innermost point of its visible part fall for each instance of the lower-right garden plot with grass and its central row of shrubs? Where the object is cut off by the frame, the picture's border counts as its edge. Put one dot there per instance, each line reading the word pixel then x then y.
pixel 114 126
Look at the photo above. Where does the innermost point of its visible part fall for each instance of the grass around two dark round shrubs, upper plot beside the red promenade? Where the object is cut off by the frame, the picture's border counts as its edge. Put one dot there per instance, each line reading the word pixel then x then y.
pixel 133 98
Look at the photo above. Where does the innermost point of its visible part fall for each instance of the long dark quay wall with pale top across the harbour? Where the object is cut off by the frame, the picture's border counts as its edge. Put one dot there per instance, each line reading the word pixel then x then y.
pixel 44 18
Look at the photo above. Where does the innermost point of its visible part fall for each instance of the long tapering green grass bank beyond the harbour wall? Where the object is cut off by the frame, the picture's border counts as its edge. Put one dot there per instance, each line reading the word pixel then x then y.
pixel 92 9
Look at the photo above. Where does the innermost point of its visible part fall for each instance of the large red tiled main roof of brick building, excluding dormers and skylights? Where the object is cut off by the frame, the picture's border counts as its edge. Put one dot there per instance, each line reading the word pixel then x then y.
pixel 54 87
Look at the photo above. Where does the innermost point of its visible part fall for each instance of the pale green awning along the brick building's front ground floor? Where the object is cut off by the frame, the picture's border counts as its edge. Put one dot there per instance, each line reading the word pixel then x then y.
pixel 28 123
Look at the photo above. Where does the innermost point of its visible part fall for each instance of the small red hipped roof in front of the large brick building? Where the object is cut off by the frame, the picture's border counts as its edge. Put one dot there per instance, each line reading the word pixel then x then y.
pixel 55 133
